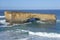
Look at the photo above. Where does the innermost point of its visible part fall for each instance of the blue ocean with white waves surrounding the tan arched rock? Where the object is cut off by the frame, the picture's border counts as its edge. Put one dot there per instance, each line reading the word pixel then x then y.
pixel 30 31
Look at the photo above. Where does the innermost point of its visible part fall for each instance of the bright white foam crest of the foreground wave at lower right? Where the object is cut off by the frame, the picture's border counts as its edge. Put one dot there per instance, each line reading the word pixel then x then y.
pixel 45 34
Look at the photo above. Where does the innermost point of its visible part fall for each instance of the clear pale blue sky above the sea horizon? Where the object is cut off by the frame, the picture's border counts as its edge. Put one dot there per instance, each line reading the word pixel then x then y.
pixel 29 4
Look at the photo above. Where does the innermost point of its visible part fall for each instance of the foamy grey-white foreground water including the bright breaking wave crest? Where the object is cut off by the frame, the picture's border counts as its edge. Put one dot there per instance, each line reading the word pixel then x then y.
pixel 13 34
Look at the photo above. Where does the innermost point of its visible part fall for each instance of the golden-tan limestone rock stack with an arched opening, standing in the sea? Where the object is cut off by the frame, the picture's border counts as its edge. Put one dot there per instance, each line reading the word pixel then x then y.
pixel 20 17
